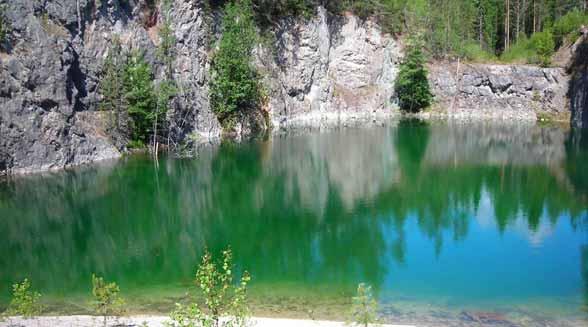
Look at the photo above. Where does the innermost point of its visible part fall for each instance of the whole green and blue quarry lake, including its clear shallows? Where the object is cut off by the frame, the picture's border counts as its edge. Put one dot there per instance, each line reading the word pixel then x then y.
pixel 439 218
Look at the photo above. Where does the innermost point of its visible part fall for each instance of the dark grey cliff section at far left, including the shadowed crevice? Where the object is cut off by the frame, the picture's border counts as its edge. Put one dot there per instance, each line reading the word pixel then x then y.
pixel 43 84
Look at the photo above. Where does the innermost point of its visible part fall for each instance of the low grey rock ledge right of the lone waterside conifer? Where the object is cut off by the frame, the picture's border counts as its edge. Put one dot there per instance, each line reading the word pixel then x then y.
pixel 500 91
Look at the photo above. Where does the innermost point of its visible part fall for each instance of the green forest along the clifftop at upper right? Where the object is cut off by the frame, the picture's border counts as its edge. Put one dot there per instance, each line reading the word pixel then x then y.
pixel 450 27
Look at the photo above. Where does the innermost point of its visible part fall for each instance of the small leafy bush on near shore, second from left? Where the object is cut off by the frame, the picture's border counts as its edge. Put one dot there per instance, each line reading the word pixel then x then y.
pixel 107 300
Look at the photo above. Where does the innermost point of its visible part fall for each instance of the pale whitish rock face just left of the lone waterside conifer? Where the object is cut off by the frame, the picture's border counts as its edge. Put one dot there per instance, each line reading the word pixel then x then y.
pixel 329 69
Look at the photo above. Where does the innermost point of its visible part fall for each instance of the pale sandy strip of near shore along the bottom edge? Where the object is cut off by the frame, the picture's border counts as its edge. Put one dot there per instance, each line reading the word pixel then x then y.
pixel 160 321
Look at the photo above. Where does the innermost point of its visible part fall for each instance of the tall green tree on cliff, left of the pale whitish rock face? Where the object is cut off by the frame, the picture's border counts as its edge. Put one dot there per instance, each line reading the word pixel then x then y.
pixel 235 86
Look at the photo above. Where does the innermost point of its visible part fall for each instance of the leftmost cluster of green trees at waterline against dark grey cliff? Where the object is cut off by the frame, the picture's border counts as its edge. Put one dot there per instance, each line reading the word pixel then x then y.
pixel 137 104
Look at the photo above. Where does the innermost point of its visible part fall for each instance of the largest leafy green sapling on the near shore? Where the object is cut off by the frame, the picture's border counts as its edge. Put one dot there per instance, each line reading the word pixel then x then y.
pixel 222 299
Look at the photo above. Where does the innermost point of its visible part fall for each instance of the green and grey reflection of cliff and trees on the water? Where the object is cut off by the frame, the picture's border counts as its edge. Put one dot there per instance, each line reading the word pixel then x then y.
pixel 320 208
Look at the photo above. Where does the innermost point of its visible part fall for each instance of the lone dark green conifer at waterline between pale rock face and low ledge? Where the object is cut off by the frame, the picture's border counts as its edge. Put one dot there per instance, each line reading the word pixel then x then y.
pixel 412 86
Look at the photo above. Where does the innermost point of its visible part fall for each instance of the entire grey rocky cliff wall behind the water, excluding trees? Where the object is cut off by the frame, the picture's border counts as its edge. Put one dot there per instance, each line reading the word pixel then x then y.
pixel 326 69
